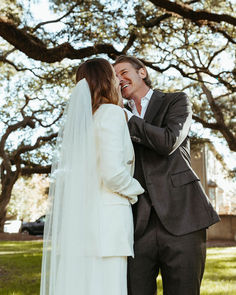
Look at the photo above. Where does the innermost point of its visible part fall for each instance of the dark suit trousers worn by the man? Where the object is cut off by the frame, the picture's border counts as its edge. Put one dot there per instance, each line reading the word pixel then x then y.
pixel 179 259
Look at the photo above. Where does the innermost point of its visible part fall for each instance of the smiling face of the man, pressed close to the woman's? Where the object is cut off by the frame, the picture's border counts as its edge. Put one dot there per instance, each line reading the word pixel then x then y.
pixel 131 79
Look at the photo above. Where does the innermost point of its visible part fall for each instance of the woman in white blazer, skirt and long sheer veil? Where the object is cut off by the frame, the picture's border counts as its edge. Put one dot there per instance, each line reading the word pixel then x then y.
pixel 89 227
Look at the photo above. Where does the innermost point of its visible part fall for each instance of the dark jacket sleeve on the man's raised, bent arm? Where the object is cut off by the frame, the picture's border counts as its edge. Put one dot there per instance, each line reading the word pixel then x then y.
pixel 164 140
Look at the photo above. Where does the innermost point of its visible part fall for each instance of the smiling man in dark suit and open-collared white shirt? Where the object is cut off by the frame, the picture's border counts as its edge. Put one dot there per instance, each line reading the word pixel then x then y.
pixel 171 218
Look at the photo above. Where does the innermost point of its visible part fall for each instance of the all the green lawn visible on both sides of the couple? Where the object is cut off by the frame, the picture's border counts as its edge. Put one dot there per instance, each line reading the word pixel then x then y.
pixel 20 269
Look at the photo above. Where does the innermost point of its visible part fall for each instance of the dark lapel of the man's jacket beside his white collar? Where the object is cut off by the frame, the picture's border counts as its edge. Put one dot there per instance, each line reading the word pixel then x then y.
pixel 154 105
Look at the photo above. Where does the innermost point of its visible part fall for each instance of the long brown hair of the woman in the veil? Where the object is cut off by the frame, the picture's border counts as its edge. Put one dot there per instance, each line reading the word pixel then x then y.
pixel 101 80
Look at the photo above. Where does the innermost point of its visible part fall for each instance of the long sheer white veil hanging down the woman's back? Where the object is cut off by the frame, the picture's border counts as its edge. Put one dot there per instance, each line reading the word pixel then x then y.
pixel 71 233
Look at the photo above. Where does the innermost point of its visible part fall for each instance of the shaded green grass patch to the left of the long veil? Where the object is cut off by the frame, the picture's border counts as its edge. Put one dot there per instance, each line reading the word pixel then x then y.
pixel 20 266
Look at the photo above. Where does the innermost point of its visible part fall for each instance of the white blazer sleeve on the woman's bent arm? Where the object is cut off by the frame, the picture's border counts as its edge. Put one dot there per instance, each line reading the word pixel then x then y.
pixel 114 172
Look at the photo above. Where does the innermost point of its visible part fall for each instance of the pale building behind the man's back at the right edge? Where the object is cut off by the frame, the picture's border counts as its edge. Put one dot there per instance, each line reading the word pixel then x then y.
pixel 214 176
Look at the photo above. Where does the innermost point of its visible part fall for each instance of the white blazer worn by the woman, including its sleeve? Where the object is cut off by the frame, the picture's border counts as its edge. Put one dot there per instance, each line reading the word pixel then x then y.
pixel 115 162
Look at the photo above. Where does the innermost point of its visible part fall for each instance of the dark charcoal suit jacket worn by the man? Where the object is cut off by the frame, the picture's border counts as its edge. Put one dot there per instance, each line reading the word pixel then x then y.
pixel 163 167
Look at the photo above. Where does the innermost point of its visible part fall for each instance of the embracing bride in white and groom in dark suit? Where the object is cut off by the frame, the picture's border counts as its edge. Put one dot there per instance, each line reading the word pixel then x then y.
pixel 125 202
